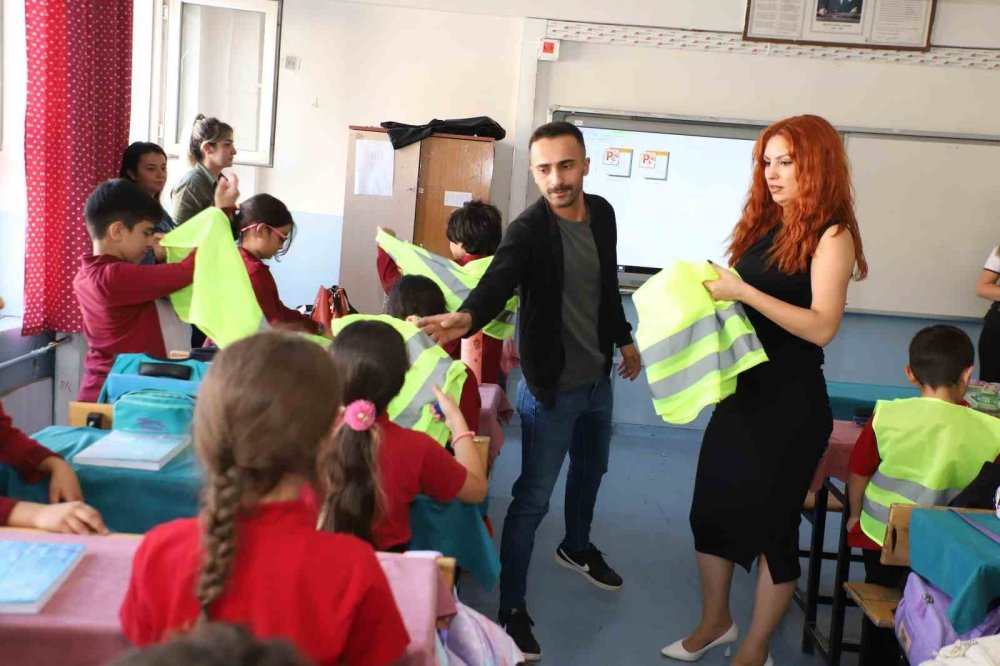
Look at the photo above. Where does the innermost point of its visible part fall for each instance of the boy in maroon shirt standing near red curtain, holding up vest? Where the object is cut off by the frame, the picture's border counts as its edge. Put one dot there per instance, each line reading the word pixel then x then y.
pixel 116 293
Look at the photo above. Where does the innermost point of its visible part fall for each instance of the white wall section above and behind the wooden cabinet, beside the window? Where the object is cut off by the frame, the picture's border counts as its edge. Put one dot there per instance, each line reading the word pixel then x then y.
pixel 362 65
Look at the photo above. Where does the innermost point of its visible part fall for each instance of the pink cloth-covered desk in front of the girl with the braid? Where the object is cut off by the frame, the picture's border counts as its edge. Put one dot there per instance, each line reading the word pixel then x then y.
pixel 79 626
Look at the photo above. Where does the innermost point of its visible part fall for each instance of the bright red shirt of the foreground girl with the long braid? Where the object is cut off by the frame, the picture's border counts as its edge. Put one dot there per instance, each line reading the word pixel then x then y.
pixel 324 592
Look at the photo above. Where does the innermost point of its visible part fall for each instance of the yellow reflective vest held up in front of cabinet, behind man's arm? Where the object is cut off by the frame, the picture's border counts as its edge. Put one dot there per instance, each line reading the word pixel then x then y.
pixel 454 280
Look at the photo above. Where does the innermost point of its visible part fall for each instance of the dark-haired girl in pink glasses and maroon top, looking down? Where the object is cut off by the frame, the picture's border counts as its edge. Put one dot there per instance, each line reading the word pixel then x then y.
pixel 264 228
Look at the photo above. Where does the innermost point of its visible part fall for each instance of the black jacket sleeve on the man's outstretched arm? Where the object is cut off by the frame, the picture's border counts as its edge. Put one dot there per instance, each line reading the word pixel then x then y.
pixel 507 270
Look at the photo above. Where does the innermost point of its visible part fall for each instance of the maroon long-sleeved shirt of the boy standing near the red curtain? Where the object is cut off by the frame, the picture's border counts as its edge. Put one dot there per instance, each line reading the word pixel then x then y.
pixel 118 302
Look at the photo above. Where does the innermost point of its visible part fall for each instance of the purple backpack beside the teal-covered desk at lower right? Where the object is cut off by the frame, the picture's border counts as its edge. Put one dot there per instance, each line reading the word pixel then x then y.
pixel 922 624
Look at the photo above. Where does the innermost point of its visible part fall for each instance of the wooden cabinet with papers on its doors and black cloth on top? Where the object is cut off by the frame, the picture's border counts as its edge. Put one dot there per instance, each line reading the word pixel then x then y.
pixel 428 178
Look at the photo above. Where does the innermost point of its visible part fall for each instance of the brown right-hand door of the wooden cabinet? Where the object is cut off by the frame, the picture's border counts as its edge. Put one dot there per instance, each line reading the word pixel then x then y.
pixel 453 169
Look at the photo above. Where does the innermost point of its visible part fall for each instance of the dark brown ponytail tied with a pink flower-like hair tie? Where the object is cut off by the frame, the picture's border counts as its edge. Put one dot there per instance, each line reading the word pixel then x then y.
pixel 352 474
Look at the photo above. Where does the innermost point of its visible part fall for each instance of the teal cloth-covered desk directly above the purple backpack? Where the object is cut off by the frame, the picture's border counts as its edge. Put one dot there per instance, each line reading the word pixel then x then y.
pixel 961 561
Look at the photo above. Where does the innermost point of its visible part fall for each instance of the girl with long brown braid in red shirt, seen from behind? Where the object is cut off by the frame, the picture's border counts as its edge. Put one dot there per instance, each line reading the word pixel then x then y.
pixel 254 557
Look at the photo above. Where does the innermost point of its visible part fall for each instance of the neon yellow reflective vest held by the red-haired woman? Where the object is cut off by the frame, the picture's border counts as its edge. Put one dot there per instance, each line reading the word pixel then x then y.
pixel 693 347
